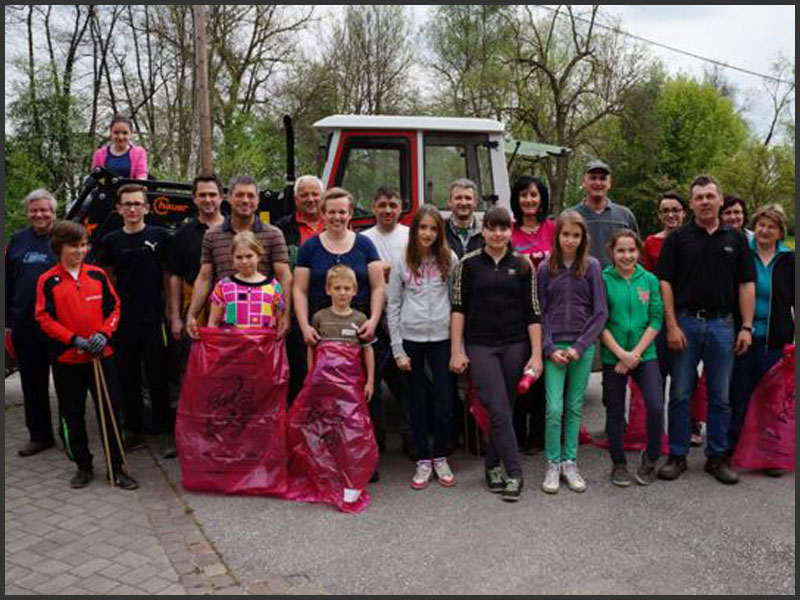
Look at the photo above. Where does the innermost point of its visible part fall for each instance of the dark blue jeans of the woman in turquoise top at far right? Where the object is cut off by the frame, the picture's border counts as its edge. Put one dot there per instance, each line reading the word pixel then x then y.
pixel 748 370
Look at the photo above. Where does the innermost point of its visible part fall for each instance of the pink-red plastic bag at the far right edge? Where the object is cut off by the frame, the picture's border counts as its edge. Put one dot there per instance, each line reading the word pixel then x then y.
pixel 767 440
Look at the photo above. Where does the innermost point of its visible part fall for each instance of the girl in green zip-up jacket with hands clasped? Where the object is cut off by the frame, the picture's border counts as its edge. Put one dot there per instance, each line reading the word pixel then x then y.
pixel 635 313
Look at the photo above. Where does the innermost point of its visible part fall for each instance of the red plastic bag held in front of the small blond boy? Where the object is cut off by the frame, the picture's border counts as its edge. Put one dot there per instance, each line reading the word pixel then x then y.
pixel 330 440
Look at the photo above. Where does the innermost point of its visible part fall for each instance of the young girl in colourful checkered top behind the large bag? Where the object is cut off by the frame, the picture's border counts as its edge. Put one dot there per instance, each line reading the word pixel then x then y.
pixel 247 299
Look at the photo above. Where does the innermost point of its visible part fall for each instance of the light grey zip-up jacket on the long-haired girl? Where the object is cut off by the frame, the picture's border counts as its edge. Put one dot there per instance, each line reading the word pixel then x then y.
pixel 419 305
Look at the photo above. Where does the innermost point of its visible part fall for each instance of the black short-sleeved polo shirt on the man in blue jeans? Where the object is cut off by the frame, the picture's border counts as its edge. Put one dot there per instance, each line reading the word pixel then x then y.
pixel 704 269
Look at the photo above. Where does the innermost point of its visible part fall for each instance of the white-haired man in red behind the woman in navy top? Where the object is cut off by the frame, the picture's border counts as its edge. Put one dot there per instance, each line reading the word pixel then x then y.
pixel 297 227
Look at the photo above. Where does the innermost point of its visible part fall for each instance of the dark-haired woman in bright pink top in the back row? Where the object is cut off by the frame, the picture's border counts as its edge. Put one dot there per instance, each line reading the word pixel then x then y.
pixel 531 236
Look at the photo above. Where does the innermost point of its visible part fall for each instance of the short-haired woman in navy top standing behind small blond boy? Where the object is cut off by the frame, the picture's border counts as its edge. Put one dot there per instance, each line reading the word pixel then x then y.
pixel 337 245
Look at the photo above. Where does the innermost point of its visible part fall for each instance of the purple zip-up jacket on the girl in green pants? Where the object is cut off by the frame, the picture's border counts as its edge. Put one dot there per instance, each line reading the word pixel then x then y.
pixel 574 309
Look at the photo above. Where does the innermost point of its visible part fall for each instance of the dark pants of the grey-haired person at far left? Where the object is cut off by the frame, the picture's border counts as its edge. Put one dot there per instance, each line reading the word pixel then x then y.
pixel 34 373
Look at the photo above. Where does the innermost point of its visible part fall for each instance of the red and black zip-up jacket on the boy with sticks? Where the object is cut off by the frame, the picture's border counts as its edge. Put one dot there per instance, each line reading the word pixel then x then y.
pixel 66 308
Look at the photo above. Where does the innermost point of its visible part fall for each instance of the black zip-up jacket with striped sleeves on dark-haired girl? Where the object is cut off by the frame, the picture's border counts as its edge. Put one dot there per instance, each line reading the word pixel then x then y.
pixel 498 300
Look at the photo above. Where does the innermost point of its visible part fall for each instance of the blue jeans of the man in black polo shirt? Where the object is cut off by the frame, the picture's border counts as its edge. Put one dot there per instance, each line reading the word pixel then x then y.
pixel 712 341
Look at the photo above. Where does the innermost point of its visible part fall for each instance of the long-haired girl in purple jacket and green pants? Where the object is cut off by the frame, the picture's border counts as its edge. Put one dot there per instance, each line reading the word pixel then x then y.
pixel 574 311
